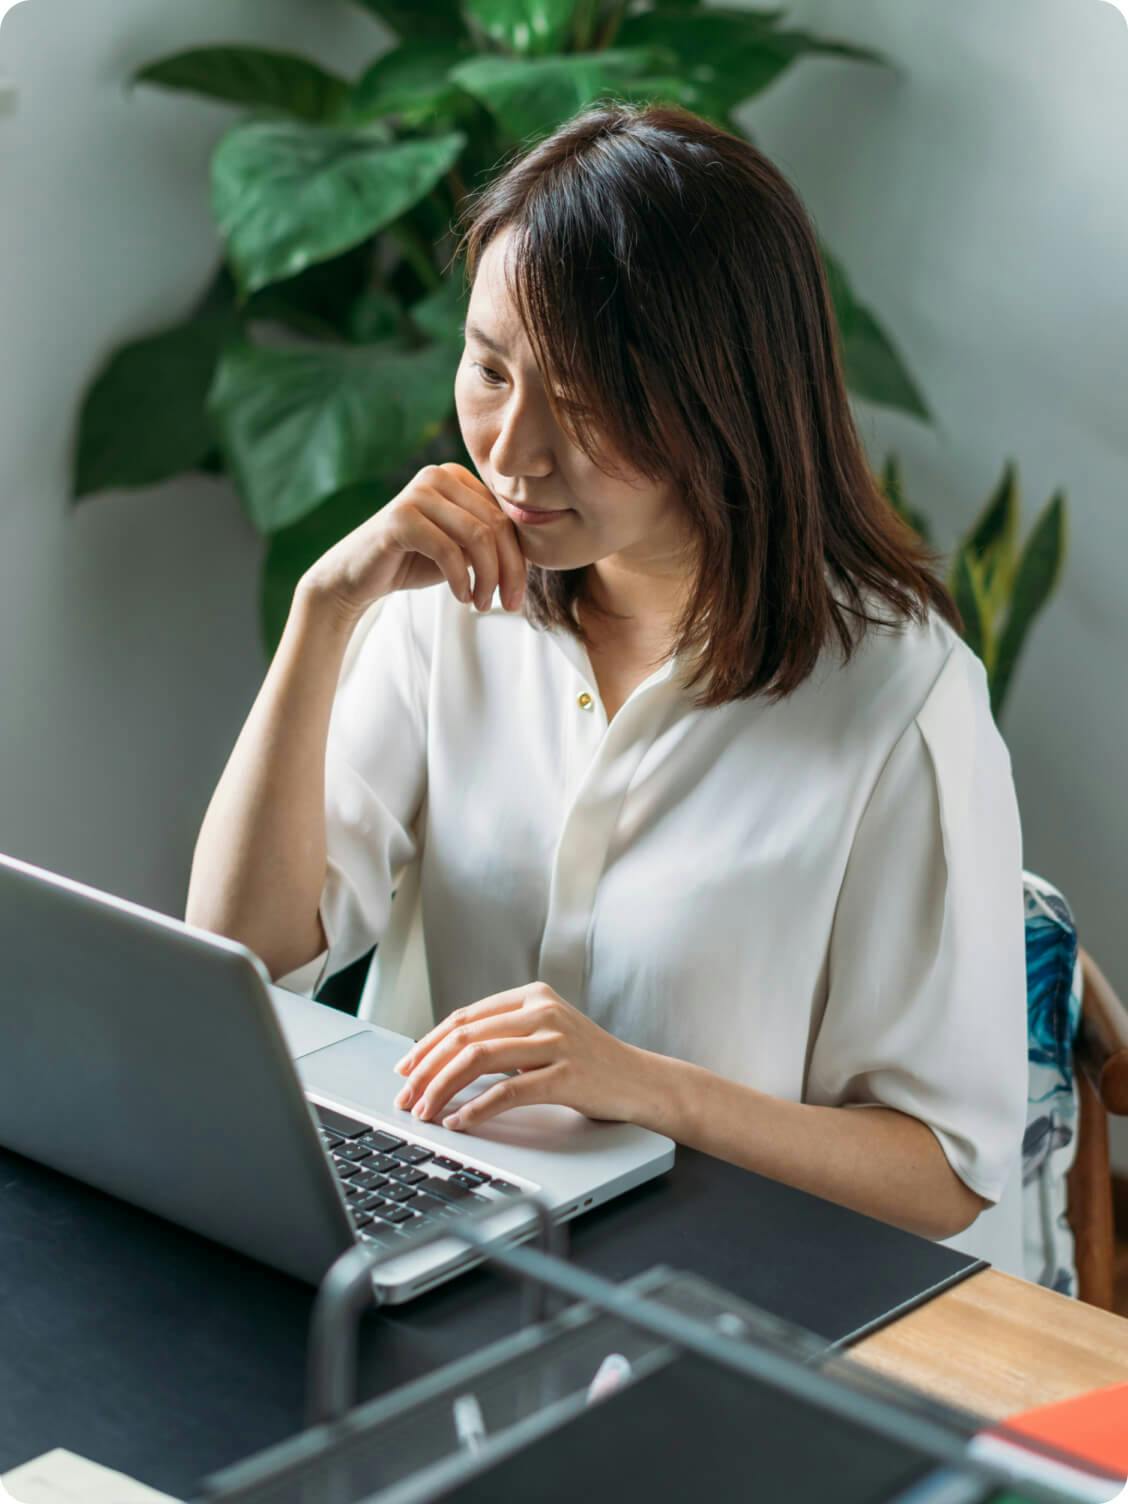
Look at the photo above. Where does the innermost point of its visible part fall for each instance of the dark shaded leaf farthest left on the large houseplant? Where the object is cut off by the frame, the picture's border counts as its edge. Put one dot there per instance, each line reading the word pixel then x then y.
pixel 144 419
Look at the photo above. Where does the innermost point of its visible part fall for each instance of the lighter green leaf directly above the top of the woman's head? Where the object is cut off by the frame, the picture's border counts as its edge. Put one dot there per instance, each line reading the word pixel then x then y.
pixel 530 97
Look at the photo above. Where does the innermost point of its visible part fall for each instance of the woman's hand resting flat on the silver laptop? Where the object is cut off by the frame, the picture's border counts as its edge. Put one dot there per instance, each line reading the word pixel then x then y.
pixel 562 1057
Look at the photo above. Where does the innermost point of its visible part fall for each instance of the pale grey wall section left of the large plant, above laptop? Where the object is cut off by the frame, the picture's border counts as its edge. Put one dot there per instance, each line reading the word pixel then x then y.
pixel 129 625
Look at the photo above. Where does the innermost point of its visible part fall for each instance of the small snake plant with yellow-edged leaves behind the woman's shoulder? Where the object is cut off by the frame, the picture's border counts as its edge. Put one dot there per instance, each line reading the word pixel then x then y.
pixel 999 587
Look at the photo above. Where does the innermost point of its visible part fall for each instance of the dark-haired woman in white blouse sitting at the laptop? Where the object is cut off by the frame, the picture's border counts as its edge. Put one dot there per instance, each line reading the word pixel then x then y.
pixel 712 825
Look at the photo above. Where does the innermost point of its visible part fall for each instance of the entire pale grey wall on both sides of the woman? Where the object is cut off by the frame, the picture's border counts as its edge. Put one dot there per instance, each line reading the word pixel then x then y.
pixel 977 198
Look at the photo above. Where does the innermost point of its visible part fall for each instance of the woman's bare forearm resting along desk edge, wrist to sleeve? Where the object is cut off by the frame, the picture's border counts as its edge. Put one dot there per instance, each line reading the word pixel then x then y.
pixel 875 1160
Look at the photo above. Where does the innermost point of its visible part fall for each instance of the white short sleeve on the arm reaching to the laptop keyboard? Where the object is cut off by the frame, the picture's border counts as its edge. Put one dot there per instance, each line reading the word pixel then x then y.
pixel 927 968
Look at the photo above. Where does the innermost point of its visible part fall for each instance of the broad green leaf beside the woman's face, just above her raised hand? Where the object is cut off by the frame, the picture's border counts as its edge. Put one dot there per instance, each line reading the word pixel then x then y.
pixel 299 426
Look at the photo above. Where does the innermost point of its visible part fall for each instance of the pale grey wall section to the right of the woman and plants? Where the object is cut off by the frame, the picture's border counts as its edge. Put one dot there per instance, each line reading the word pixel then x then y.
pixel 980 201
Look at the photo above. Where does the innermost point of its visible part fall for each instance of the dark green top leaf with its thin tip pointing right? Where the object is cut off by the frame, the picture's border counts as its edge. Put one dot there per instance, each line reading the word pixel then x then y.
pixel 732 55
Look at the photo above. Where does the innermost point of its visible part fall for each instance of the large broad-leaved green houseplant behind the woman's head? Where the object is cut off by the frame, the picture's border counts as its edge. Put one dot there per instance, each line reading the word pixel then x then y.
pixel 318 369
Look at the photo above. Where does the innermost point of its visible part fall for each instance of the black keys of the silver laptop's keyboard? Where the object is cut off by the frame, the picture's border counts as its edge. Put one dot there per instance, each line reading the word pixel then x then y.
pixel 393 1186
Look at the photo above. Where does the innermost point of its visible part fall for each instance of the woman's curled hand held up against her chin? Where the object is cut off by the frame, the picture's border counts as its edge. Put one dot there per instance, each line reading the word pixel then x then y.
pixel 441 523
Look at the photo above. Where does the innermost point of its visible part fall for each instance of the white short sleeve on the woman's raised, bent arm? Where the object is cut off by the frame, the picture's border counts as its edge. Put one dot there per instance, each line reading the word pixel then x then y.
pixel 375 784
